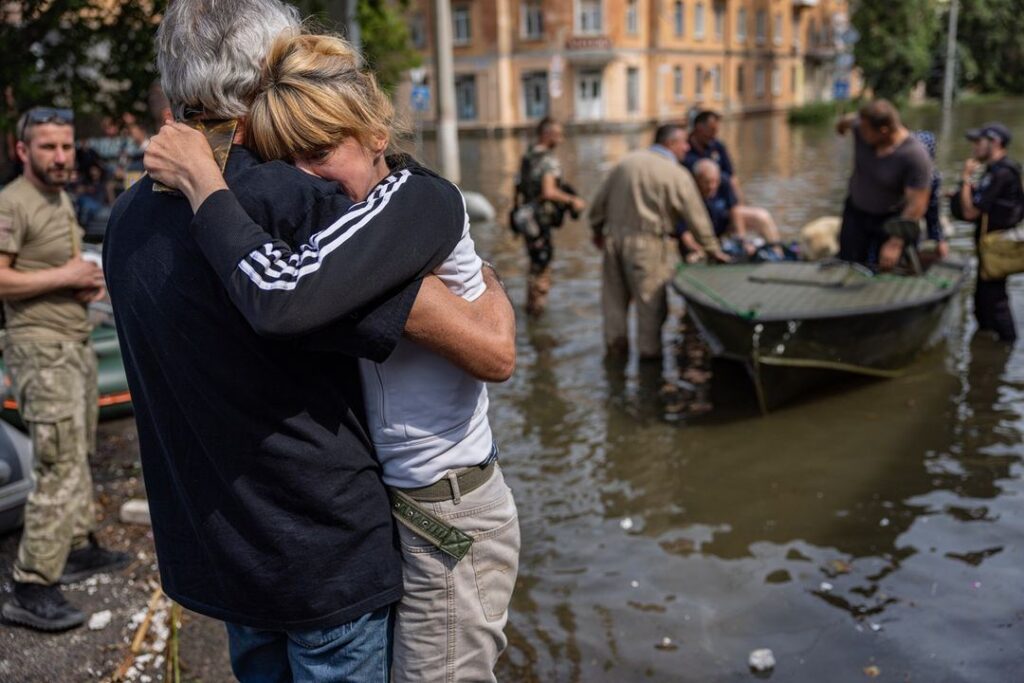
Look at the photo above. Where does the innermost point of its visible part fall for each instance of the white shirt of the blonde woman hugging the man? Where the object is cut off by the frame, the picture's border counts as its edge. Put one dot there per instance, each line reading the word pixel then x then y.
pixel 426 416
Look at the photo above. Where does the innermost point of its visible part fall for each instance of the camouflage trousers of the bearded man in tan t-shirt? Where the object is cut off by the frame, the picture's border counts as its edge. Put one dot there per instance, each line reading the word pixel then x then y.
pixel 56 389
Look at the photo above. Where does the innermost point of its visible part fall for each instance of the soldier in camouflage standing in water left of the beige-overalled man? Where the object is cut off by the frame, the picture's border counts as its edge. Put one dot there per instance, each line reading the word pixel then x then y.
pixel 542 188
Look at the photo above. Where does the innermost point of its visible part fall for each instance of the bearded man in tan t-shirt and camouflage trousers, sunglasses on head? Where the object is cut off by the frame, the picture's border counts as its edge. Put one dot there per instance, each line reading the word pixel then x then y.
pixel 47 288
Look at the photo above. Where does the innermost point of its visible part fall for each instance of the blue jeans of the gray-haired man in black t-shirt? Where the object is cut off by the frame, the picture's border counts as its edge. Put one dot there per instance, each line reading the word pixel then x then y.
pixel 359 652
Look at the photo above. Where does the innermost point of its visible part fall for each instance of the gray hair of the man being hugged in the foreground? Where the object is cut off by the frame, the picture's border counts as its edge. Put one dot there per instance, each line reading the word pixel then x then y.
pixel 210 53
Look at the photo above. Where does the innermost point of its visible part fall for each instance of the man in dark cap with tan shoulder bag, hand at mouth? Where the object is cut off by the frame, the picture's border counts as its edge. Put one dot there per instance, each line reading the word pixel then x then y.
pixel 996 202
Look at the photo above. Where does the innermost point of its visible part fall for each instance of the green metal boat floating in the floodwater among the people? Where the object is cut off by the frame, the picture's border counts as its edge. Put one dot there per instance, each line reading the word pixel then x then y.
pixel 799 326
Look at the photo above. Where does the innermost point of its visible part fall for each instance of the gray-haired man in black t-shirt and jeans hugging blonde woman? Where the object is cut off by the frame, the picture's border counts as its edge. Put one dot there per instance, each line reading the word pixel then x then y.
pixel 269 510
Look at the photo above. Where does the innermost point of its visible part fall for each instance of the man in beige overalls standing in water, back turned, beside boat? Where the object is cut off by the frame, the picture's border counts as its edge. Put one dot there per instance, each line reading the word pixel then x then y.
pixel 634 218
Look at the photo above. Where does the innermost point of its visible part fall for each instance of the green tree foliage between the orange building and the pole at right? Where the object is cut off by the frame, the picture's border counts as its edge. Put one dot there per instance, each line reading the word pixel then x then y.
pixel 897 44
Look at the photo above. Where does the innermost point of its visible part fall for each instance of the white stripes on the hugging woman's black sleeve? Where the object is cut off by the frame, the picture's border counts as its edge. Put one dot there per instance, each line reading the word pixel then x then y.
pixel 269 272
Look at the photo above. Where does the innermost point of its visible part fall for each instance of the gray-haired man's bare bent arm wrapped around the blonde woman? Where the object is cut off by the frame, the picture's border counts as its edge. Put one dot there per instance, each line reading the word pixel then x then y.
pixel 478 336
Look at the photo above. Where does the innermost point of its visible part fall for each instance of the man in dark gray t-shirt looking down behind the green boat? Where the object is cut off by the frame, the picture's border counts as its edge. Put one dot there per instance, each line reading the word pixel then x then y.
pixel 892 176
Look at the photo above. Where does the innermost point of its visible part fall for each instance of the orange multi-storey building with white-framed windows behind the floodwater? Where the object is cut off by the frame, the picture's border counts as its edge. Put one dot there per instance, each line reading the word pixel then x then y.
pixel 620 63
